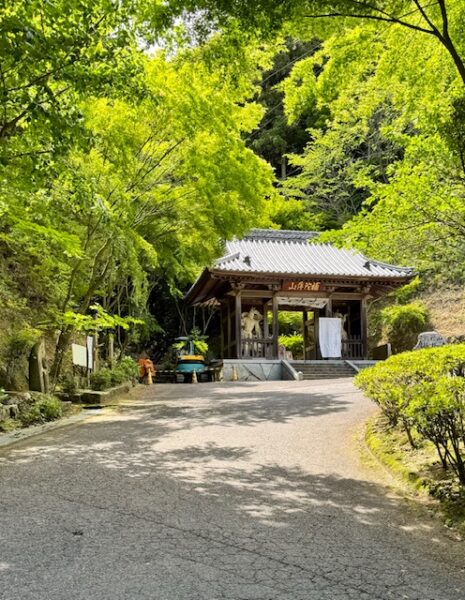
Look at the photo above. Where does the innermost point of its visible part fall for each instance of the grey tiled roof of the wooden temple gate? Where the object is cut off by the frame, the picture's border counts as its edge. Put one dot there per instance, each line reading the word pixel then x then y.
pixel 290 252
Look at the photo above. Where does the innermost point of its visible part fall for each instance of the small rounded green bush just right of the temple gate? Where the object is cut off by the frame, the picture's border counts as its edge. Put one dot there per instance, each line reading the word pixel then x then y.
pixel 402 323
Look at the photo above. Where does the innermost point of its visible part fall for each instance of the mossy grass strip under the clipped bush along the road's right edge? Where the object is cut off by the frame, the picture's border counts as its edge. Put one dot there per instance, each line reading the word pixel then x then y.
pixel 418 468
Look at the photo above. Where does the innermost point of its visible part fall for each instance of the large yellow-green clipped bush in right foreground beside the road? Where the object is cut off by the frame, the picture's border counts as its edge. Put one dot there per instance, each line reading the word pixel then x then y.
pixel 424 392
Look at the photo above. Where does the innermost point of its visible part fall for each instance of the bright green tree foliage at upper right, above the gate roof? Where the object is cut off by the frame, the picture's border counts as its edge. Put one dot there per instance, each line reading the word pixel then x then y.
pixel 385 88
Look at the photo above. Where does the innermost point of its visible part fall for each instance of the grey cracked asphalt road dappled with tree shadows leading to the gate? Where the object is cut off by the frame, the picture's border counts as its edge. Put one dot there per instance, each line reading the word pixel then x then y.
pixel 249 491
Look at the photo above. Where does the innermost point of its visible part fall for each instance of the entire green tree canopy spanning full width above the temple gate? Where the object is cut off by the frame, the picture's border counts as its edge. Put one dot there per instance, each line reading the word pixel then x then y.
pixel 136 135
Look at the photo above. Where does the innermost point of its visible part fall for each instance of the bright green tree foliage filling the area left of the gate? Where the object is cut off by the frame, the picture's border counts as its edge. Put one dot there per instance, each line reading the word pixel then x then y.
pixel 118 166
